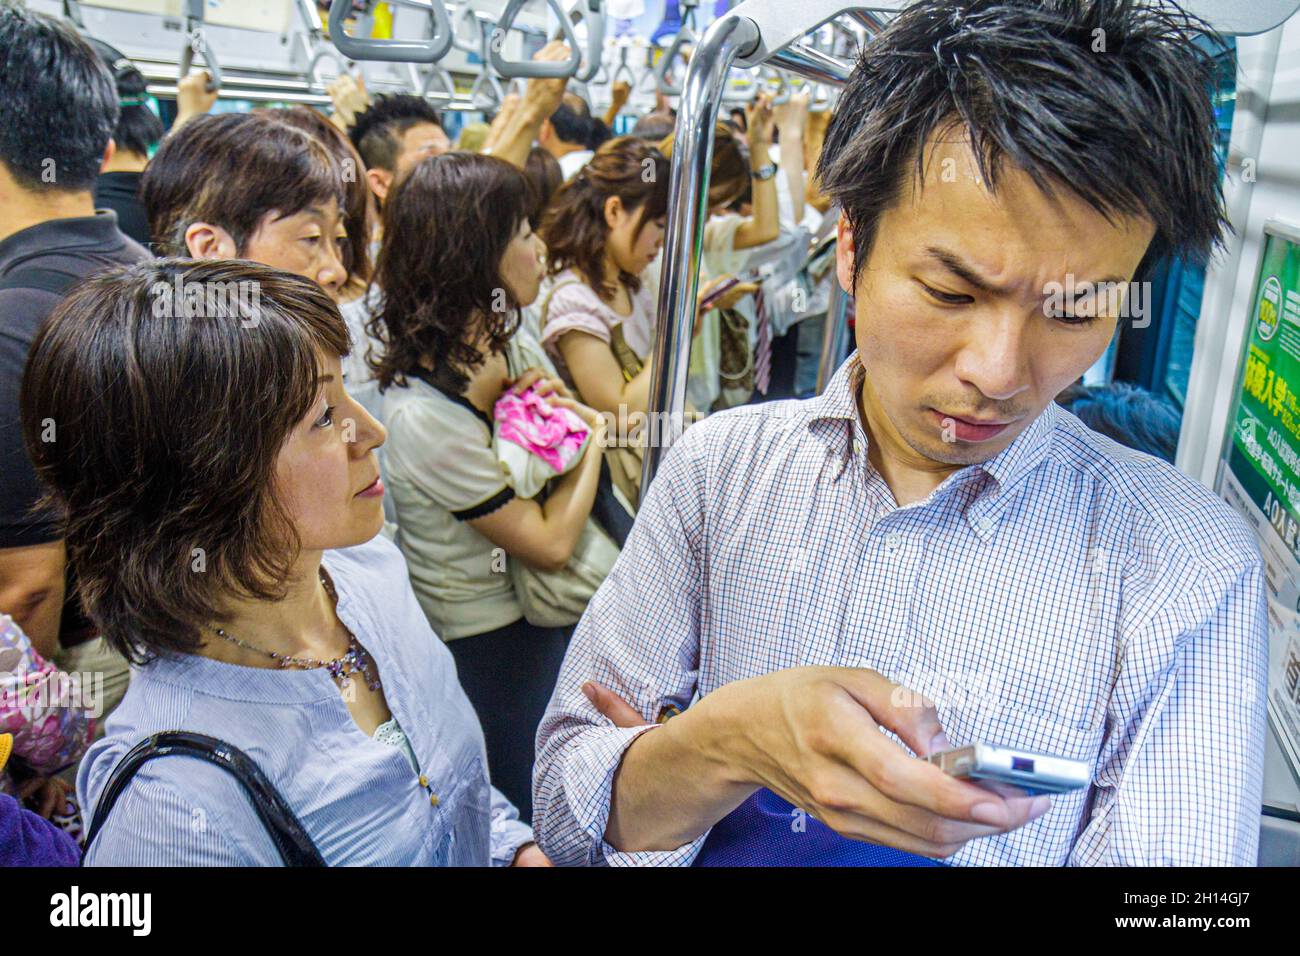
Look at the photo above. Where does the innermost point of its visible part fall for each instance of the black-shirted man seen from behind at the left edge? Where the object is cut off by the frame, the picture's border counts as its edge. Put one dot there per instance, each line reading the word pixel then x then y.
pixel 58 114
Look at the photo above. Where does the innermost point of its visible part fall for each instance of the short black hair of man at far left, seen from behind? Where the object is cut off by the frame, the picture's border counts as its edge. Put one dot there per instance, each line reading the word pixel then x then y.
pixel 58 103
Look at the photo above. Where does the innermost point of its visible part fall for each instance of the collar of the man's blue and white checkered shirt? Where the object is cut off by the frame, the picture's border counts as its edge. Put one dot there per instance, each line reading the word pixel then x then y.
pixel 1007 470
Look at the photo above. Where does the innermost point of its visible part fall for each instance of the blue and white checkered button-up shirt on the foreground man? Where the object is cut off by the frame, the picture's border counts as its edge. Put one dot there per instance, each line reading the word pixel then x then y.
pixel 1069 596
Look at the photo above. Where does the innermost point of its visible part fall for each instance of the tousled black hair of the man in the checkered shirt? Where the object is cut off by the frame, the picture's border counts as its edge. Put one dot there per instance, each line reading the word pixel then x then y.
pixel 1129 131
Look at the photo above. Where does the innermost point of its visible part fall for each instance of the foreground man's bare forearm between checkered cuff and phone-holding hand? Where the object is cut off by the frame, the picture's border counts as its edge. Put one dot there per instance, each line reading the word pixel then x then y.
pixel 675 782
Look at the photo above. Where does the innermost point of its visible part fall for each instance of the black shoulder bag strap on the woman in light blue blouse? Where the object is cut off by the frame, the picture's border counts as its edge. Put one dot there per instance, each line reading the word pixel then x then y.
pixel 296 847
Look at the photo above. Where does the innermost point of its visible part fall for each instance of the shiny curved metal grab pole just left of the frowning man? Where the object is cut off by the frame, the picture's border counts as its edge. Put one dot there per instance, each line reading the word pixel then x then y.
pixel 688 209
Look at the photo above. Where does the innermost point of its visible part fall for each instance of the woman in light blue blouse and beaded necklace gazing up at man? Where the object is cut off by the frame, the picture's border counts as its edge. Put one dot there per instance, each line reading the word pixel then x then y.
pixel 223 512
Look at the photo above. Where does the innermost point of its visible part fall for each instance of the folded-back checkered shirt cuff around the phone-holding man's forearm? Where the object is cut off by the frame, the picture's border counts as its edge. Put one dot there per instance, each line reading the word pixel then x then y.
pixel 590 785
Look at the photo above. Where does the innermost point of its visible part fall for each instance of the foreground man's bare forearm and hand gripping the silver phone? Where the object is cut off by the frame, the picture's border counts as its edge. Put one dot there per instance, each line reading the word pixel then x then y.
pixel 812 736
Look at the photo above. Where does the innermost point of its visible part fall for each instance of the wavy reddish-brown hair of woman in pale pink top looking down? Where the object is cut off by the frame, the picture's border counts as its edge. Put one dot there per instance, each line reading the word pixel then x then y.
pixel 575 231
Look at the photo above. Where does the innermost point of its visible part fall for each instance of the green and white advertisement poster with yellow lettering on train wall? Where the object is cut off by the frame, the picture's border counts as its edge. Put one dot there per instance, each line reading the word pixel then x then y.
pixel 1260 473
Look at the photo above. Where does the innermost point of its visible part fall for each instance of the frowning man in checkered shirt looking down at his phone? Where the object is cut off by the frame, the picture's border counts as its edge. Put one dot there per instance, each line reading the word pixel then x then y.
pixel 934 518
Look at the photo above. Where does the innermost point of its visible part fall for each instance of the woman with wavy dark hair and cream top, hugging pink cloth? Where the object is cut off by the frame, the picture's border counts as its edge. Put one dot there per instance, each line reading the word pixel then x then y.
pixel 458 265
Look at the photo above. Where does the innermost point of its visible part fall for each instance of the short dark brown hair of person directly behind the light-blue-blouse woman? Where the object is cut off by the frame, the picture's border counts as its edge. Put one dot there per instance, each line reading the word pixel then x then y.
pixel 232 170
